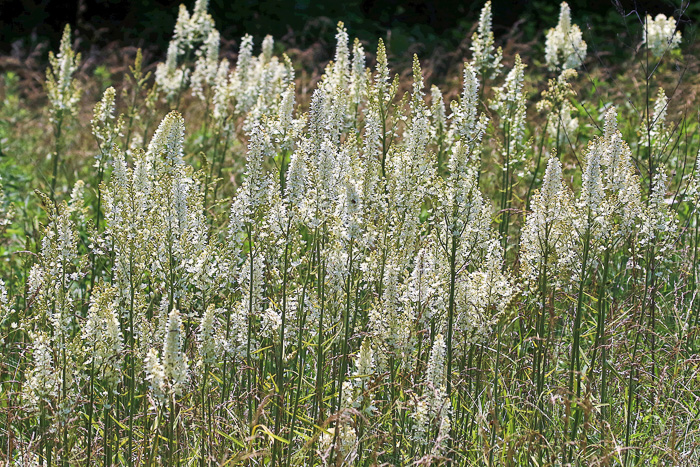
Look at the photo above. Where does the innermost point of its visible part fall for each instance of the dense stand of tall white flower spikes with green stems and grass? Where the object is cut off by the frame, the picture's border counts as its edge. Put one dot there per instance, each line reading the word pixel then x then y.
pixel 369 277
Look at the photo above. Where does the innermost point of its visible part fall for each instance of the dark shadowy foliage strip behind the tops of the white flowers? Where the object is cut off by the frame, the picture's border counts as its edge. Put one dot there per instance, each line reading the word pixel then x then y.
pixel 149 23
